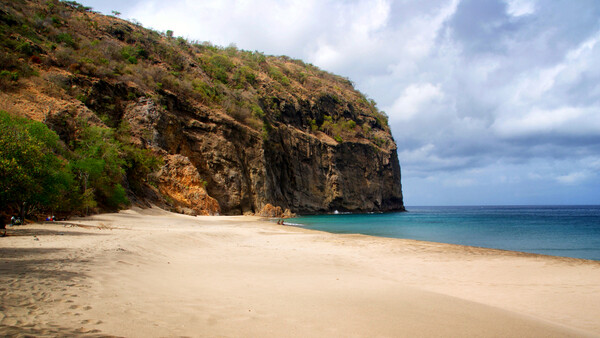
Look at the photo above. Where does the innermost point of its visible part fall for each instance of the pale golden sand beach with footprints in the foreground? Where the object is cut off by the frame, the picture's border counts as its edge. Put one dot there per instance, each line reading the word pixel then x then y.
pixel 150 273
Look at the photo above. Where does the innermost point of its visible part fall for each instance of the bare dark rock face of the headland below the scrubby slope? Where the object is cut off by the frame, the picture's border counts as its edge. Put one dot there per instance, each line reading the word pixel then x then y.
pixel 290 168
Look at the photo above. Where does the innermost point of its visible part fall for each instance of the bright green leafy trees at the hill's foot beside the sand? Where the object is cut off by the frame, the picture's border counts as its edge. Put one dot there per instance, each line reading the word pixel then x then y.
pixel 37 172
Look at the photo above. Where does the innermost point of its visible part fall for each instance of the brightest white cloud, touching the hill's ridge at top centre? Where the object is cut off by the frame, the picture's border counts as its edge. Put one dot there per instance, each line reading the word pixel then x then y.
pixel 271 26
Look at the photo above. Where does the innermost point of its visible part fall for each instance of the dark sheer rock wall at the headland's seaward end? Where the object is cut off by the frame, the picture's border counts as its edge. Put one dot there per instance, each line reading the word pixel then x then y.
pixel 307 174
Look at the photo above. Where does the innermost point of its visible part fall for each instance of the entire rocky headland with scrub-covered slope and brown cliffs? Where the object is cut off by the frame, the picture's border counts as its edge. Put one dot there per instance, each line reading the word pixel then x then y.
pixel 237 130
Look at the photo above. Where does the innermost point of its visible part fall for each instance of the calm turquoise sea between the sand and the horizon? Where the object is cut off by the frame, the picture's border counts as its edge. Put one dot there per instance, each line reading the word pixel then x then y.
pixel 569 231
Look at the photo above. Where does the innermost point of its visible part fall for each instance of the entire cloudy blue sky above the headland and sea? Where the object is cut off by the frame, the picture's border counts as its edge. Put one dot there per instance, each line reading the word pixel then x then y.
pixel 491 102
